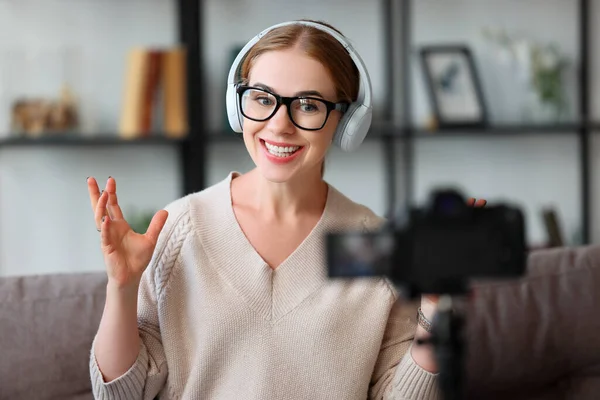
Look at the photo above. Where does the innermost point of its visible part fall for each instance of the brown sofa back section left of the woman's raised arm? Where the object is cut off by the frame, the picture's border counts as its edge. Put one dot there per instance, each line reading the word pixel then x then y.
pixel 47 324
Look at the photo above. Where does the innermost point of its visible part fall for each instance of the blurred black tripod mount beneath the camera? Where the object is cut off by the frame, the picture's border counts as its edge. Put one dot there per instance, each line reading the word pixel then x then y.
pixel 449 347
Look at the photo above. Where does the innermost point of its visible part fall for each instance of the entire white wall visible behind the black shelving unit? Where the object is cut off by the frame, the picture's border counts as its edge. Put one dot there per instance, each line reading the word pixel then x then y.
pixel 45 221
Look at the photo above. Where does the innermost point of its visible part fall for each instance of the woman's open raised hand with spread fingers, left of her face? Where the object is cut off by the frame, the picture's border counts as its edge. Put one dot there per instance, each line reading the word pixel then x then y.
pixel 126 253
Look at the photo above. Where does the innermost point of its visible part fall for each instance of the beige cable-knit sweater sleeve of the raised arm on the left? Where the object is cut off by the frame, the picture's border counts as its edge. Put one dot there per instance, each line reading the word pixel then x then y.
pixel 146 378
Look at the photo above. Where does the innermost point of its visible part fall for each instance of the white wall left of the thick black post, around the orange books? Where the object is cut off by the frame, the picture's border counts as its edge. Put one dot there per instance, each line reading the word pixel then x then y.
pixel 46 224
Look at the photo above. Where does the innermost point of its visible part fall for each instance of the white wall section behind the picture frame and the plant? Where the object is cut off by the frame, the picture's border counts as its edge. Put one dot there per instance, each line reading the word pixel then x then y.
pixel 461 21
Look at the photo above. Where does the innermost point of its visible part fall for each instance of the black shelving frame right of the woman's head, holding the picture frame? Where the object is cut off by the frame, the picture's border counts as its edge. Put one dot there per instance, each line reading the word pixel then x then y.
pixel 403 15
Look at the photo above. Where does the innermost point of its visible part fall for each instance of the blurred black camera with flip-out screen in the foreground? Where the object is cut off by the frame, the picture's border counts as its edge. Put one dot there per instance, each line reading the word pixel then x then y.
pixel 438 249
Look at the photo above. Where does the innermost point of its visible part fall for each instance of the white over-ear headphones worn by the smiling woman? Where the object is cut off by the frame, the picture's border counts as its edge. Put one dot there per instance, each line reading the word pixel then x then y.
pixel 355 123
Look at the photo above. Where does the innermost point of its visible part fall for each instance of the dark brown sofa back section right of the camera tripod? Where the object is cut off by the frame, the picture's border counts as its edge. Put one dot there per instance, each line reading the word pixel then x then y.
pixel 537 331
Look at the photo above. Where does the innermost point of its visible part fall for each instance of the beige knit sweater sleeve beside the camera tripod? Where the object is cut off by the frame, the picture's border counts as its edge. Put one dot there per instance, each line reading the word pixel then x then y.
pixel 396 375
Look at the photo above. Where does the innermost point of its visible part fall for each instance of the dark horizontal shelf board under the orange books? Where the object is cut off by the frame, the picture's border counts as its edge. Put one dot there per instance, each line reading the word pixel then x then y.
pixel 77 140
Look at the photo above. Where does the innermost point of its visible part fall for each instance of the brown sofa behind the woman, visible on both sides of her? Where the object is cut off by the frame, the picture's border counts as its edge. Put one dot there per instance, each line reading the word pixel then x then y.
pixel 533 338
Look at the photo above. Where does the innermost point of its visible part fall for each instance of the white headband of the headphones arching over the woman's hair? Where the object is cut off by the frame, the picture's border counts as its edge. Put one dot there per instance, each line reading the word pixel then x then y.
pixel 364 88
